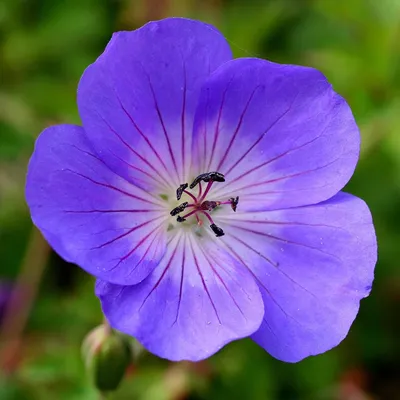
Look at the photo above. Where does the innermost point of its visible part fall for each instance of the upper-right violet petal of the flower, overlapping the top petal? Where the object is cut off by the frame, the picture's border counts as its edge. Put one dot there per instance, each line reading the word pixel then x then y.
pixel 279 133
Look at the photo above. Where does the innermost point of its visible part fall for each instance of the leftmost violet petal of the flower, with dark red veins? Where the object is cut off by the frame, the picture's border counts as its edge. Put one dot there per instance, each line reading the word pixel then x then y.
pixel 90 215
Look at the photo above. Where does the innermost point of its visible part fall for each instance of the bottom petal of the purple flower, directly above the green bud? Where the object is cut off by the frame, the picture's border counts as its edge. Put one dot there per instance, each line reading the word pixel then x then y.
pixel 197 300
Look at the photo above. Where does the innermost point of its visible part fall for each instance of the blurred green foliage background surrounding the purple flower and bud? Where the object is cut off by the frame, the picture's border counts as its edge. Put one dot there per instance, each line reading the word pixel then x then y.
pixel 44 47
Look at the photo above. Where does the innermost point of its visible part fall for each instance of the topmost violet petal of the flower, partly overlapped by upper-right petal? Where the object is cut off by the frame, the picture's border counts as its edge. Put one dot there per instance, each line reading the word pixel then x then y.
pixel 137 101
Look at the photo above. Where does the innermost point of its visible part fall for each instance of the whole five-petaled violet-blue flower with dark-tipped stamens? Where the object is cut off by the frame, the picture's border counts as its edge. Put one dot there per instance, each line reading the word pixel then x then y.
pixel 203 192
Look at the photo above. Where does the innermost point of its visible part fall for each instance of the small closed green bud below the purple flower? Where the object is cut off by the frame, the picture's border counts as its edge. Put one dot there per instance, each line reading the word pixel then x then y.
pixel 107 355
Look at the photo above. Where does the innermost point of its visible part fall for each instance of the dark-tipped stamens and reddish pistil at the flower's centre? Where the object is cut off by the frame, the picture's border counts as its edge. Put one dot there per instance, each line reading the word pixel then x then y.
pixel 200 205
